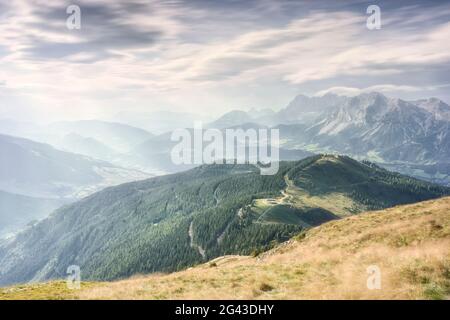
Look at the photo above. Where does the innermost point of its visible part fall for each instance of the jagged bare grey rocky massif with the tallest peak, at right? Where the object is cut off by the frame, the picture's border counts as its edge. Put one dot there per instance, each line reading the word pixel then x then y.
pixel 396 130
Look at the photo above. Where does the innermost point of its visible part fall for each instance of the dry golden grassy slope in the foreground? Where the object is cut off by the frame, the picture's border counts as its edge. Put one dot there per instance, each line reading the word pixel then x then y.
pixel 410 244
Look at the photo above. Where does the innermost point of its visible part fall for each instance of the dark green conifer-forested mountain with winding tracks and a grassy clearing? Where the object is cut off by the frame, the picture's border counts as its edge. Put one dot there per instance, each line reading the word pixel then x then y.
pixel 200 214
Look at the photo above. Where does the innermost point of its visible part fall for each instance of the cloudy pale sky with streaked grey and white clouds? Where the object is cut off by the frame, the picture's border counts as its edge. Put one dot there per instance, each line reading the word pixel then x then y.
pixel 209 57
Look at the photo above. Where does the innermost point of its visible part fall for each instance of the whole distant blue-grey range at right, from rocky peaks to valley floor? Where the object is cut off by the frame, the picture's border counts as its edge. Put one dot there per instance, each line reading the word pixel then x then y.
pixel 412 137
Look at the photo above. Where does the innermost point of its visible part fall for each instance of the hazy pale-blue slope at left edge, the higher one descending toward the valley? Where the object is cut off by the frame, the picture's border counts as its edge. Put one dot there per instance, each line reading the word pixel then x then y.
pixel 39 170
